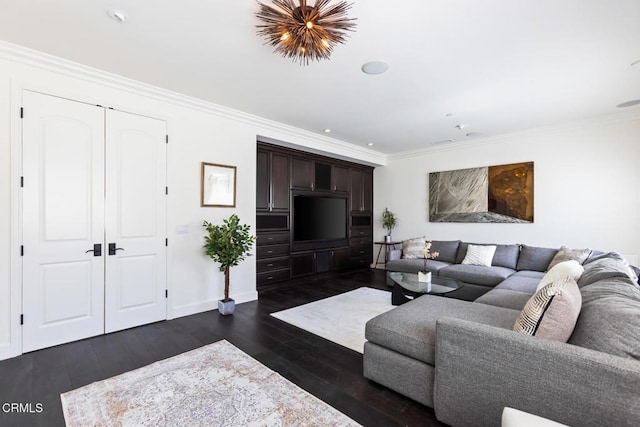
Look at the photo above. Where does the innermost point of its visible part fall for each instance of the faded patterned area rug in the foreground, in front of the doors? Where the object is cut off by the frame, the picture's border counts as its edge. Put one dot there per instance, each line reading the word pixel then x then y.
pixel 215 385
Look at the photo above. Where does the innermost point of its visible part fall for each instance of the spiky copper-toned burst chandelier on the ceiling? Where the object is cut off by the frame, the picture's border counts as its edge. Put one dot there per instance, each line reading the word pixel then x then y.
pixel 304 33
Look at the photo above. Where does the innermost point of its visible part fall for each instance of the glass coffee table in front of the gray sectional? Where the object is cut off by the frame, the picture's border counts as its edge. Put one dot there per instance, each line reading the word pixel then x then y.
pixel 407 287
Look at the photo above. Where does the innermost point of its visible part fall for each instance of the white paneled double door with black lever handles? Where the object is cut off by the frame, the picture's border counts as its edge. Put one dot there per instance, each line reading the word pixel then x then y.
pixel 94 220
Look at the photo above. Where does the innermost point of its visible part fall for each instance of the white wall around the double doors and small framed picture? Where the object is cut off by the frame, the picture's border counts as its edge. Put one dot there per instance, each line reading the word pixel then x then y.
pixel 198 132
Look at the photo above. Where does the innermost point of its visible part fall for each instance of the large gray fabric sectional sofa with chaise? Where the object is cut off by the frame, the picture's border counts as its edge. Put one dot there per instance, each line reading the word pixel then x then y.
pixel 462 357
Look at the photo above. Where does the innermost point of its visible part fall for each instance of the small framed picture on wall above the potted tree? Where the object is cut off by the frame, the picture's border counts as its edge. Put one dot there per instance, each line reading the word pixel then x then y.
pixel 218 186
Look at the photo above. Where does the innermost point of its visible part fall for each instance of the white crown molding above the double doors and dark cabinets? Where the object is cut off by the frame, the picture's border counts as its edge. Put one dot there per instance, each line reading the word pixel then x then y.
pixel 269 128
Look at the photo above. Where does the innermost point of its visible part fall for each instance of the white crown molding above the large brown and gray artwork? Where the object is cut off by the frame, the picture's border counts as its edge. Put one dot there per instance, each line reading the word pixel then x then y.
pixel 597 121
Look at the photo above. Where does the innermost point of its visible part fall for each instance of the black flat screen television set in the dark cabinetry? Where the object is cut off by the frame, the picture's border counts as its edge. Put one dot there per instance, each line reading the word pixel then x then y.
pixel 317 218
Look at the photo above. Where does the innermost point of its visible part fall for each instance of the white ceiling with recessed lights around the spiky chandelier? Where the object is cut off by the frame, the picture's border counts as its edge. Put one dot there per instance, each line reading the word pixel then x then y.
pixel 496 66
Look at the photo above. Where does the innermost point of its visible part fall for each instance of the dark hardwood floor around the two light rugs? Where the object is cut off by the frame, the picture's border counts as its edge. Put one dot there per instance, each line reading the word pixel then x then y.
pixel 329 371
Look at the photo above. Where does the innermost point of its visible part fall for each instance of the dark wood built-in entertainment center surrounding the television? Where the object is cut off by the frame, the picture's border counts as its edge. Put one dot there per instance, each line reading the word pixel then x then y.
pixel 284 173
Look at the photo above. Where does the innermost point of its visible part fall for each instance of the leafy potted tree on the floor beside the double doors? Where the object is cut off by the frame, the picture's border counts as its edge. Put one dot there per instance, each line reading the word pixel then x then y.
pixel 227 244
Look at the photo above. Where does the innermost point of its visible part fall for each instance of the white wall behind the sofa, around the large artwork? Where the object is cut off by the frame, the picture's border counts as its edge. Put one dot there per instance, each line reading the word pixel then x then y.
pixel 586 186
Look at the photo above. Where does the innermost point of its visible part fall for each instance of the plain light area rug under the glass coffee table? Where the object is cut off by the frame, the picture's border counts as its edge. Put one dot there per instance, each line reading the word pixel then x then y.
pixel 340 318
